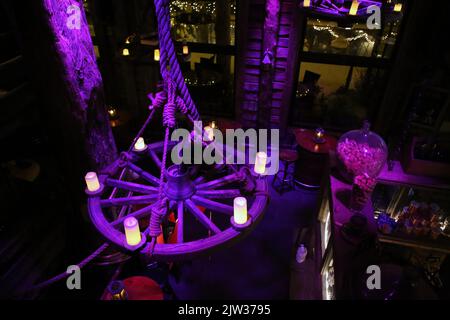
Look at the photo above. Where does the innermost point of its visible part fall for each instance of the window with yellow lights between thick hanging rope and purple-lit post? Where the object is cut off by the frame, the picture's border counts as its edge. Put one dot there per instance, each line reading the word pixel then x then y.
pixel 208 28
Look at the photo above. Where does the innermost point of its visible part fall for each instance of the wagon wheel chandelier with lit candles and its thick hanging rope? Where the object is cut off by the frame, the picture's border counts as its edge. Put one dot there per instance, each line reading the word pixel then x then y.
pixel 129 205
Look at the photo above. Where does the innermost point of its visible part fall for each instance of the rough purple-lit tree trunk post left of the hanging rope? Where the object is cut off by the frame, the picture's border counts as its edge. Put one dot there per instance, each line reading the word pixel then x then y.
pixel 81 78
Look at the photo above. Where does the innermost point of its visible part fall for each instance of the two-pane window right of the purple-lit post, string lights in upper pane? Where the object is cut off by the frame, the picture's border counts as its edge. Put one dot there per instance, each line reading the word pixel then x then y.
pixel 342 71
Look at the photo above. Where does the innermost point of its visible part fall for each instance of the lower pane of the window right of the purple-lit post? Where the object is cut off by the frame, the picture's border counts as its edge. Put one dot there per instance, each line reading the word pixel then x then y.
pixel 336 96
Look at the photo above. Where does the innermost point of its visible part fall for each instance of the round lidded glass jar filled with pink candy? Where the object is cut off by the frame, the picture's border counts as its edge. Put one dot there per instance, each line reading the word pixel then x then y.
pixel 361 152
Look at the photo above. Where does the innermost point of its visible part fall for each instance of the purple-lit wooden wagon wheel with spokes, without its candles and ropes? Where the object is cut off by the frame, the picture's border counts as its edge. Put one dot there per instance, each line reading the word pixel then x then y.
pixel 185 193
